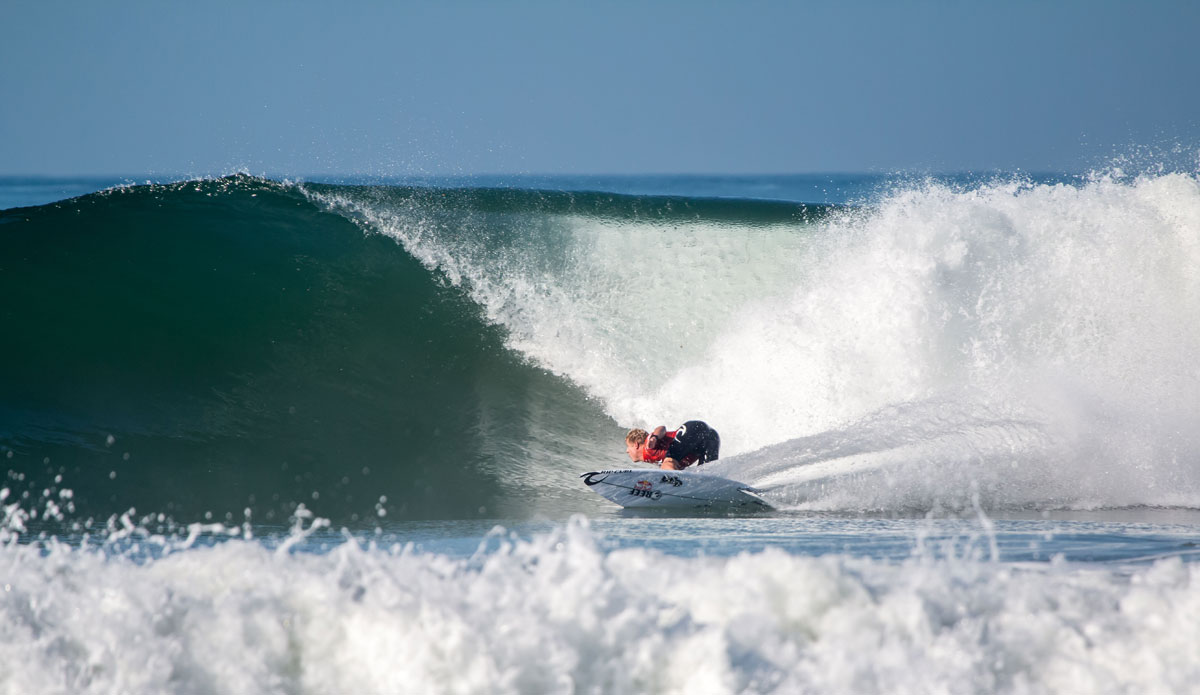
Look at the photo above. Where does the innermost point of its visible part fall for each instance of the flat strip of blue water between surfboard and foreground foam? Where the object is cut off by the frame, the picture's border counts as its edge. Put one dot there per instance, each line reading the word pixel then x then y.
pixel 1120 540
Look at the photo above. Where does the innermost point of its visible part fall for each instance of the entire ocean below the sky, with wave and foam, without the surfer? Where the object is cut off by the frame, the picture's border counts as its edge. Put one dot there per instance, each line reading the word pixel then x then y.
pixel 271 435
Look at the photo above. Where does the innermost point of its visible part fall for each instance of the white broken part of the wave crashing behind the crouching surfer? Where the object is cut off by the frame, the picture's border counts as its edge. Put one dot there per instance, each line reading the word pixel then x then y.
pixel 1036 343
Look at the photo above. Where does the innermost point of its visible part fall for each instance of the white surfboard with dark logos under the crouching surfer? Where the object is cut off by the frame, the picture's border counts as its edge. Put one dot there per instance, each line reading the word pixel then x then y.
pixel 655 488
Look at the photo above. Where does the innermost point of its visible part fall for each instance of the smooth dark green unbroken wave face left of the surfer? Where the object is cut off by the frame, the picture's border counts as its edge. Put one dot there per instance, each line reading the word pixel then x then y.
pixel 227 345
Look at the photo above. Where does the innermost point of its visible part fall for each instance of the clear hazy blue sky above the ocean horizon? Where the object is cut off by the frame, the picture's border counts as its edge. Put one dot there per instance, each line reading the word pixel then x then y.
pixel 641 87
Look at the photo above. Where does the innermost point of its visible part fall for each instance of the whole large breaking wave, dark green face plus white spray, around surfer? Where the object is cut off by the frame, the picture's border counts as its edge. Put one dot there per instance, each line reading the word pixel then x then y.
pixel 254 345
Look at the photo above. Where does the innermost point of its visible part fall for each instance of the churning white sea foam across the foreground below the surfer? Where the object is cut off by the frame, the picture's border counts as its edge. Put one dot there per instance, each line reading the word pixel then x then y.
pixel 561 615
